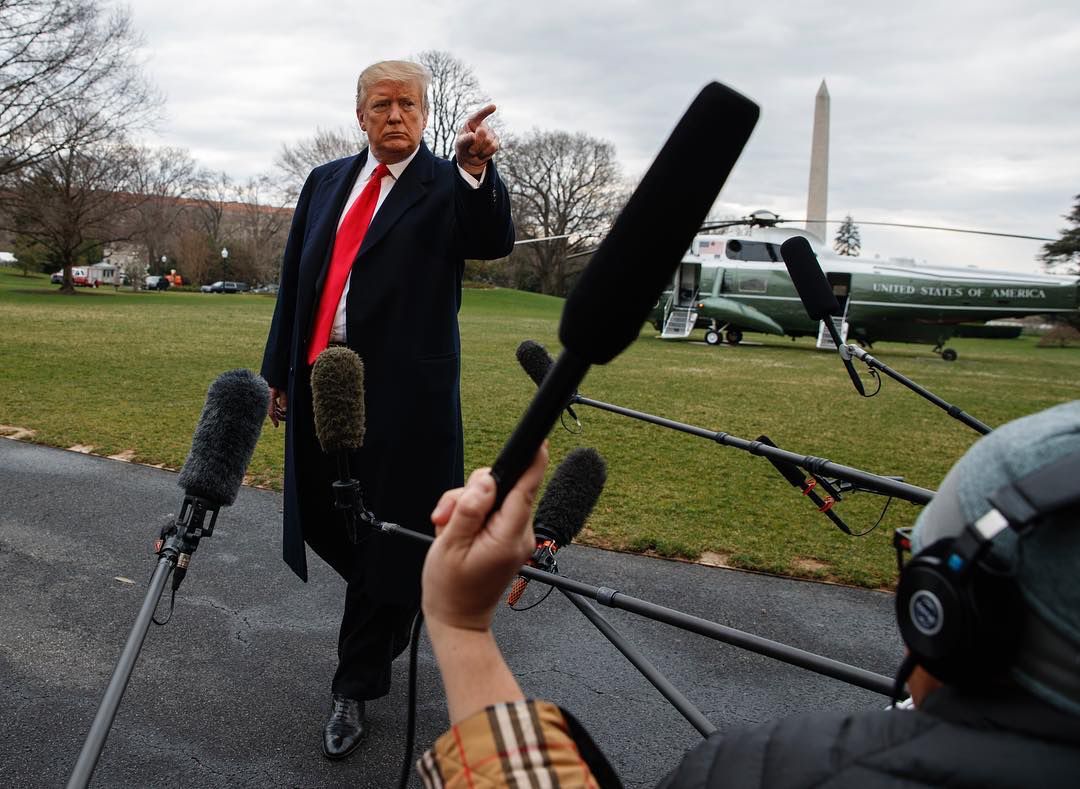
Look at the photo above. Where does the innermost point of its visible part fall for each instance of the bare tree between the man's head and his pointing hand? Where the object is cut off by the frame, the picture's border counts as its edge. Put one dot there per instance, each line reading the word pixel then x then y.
pixel 454 96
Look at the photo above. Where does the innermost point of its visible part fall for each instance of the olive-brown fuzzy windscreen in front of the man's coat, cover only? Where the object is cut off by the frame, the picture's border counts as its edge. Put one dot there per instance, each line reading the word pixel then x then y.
pixel 337 394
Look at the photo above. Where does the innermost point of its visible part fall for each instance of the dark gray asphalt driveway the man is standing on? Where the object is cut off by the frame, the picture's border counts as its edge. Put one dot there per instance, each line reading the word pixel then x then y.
pixel 234 691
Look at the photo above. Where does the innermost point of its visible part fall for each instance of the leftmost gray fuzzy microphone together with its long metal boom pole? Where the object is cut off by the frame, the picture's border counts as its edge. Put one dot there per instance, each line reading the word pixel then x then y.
pixel 222 448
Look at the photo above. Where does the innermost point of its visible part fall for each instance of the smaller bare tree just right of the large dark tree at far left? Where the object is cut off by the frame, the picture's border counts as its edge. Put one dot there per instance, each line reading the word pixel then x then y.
pixel 165 178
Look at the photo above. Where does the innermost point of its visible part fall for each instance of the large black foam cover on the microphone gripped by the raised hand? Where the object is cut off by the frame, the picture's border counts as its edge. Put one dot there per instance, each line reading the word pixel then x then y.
pixel 630 269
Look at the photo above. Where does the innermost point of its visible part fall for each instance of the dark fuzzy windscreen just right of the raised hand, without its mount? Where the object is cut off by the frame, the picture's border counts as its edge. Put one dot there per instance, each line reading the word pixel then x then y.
pixel 571 496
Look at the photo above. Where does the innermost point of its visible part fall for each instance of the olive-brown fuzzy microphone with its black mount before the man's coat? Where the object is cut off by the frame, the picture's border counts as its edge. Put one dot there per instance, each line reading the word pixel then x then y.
pixel 337 401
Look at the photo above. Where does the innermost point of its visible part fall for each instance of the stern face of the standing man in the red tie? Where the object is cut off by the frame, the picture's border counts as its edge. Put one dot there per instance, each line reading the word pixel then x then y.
pixel 394 120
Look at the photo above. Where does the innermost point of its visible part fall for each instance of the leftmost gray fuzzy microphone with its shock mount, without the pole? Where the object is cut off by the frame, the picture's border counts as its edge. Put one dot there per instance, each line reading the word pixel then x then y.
pixel 222 447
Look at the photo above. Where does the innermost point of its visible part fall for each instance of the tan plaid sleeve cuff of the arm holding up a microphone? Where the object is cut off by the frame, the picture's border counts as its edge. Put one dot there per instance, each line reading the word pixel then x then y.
pixel 520 744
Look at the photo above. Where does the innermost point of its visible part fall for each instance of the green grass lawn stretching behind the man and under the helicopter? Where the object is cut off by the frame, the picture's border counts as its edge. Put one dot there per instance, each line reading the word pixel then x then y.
pixel 125 373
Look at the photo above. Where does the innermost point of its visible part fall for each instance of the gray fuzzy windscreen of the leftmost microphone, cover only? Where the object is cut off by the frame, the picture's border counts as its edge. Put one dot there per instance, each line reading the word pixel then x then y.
pixel 226 437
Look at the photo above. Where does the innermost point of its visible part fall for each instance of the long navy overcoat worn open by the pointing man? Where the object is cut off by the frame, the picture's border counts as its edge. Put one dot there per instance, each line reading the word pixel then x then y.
pixel 402 310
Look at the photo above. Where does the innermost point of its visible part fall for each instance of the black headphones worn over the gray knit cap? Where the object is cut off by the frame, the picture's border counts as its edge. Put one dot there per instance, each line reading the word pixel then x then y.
pixel 958 604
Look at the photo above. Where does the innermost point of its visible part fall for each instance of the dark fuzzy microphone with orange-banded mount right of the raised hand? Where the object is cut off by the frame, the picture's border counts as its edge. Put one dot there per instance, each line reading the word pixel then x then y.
pixel 566 505
